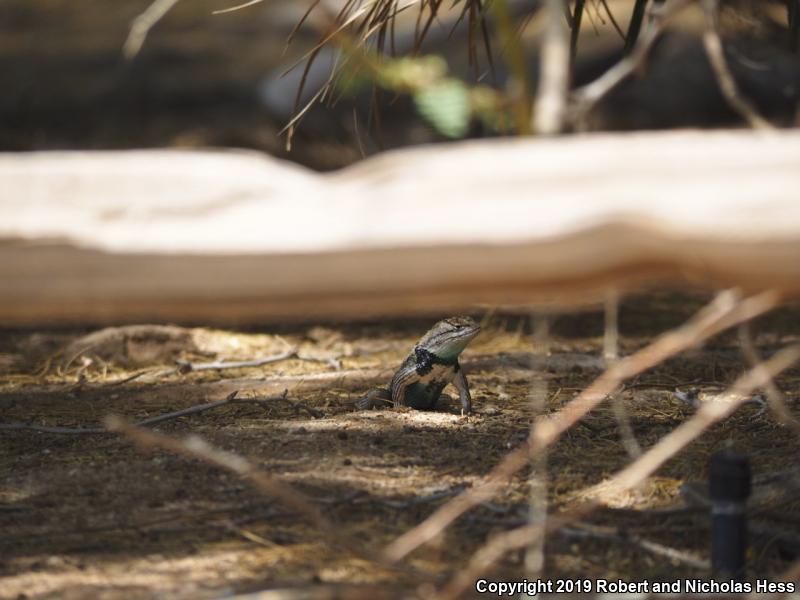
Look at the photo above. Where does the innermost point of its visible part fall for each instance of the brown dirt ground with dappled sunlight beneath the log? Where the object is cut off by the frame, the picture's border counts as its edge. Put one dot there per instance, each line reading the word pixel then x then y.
pixel 92 516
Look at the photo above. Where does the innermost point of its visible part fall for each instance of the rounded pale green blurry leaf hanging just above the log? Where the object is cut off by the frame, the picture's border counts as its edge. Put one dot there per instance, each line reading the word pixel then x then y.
pixel 446 106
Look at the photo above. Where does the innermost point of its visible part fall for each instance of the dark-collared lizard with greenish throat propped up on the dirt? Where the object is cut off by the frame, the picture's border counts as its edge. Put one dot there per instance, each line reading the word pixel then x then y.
pixel 426 371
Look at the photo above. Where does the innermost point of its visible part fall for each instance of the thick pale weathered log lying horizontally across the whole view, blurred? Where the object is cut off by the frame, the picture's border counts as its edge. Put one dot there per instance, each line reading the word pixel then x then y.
pixel 224 237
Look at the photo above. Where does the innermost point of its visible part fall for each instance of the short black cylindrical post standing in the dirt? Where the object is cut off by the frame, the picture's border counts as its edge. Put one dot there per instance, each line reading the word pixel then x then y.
pixel 729 481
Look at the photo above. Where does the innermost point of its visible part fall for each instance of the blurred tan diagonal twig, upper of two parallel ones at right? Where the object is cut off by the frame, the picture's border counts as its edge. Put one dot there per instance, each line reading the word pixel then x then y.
pixel 723 312
